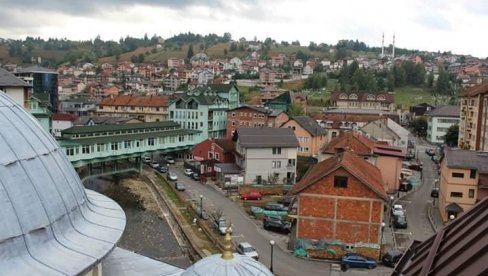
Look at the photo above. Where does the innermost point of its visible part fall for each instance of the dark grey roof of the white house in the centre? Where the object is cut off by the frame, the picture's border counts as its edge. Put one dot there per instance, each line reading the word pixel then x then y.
pixel 267 137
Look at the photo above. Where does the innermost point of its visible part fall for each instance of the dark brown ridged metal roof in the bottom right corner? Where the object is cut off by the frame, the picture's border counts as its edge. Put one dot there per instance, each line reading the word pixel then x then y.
pixel 457 249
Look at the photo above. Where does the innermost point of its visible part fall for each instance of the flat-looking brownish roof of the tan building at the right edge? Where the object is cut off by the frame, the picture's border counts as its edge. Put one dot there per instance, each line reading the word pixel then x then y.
pixel 466 159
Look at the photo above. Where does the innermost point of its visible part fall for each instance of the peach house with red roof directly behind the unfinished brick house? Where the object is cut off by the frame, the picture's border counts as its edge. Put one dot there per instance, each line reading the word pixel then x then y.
pixel 387 158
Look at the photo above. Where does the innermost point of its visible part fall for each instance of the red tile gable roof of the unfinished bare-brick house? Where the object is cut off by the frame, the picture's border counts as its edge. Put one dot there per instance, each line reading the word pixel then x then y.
pixel 366 172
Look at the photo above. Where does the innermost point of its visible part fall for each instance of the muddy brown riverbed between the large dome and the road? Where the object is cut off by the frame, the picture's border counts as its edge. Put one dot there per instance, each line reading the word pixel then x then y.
pixel 146 232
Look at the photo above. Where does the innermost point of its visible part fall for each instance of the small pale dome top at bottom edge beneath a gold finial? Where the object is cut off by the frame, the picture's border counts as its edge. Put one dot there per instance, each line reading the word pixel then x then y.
pixel 239 265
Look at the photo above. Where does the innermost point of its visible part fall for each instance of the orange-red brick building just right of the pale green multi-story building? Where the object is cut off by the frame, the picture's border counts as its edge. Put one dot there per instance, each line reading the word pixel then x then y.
pixel 250 116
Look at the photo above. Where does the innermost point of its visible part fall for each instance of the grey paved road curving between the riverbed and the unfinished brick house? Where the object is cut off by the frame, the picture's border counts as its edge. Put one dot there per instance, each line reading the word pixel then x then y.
pixel 246 229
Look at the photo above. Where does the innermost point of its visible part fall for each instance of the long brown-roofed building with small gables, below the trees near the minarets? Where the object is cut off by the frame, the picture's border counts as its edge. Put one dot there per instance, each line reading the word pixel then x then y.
pixel 362 100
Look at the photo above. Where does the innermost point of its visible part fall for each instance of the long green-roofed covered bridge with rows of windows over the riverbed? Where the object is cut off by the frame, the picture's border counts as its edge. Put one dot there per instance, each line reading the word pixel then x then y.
pixel 110 149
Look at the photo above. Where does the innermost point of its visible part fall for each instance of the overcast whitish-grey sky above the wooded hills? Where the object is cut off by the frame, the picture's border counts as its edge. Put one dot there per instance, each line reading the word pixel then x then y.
pixel 450 25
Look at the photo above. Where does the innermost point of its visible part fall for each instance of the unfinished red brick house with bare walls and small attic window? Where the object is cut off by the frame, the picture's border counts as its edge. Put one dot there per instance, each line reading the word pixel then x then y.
pixel 340 203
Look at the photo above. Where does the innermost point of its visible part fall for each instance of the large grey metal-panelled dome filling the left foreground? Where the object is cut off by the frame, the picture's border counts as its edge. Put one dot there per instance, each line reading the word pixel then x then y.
pixel 50 225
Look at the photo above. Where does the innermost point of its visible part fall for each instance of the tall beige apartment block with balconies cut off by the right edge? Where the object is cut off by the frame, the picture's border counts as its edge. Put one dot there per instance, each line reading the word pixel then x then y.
pixel 473 130
